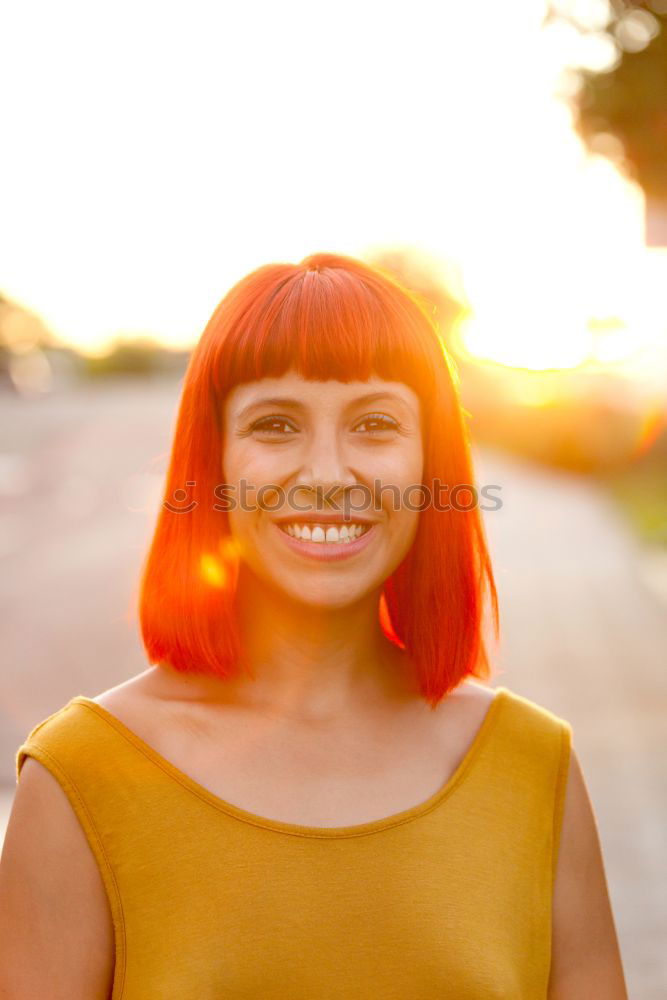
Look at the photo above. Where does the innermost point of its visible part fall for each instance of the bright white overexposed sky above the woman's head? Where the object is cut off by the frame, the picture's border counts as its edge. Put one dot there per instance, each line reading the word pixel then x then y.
pixel 155 153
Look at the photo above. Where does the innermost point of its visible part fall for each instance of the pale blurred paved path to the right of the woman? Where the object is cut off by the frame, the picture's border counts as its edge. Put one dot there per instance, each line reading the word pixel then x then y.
pixel 584 636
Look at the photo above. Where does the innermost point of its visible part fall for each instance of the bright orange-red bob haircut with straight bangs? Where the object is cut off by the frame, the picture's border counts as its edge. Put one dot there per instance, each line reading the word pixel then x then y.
pixel 329 317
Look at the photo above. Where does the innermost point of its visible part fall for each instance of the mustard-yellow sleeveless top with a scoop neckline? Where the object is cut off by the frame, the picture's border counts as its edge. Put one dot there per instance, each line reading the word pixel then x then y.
pixel 449 898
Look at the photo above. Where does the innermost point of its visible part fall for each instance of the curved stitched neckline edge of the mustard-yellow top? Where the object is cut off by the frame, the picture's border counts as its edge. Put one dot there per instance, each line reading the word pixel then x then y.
pixel 301 830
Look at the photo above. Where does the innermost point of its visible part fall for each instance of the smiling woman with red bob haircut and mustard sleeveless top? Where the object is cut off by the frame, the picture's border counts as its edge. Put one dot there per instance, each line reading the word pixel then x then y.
pixel 308 794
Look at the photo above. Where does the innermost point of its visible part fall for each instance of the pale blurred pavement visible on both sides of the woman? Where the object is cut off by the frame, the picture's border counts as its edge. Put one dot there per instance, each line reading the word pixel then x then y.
pixel 80 475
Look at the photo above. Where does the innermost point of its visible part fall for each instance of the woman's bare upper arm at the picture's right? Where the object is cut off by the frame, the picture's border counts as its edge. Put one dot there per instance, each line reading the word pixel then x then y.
pixel 586 960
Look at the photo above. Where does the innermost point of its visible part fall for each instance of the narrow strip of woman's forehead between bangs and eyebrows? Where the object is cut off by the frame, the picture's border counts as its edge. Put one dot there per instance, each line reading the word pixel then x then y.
pixel 291 389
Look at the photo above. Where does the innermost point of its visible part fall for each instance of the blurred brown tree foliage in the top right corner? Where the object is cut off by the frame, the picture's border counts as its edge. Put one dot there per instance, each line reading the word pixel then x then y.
pixel 627 100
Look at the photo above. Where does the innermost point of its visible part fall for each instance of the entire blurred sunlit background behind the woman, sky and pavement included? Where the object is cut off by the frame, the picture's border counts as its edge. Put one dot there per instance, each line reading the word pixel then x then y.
pixel 508 162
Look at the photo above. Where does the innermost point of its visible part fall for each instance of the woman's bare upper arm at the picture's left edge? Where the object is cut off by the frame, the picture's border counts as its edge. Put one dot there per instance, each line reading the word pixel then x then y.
pixel 56 932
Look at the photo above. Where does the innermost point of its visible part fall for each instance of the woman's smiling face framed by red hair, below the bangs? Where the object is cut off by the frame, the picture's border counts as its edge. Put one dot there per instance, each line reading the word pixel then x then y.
pixel 321 443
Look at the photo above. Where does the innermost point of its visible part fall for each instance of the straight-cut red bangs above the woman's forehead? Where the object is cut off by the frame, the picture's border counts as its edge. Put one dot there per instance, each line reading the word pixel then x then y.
pixel 330 323
